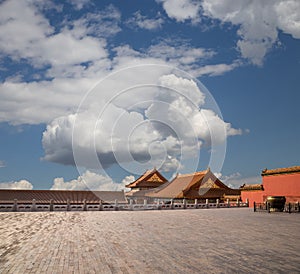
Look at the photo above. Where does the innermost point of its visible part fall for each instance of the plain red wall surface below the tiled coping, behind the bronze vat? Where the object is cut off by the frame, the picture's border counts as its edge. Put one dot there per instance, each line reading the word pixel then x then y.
pixel 287 185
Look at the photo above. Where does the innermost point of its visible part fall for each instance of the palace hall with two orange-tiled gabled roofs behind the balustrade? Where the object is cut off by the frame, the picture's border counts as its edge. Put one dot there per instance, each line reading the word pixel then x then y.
pixel 199 185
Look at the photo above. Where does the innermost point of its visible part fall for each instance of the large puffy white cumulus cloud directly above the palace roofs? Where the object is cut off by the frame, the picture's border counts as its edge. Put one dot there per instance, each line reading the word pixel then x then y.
pixel 153 125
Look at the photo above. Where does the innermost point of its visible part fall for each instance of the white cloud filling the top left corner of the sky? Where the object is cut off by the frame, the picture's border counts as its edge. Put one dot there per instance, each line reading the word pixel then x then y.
pixel 25 33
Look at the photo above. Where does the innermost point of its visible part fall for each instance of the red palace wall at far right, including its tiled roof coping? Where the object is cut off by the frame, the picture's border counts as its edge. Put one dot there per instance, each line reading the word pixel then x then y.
pixel 275 182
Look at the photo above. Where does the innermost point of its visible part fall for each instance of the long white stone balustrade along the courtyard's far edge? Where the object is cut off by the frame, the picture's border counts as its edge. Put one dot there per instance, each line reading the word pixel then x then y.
pixel 18 207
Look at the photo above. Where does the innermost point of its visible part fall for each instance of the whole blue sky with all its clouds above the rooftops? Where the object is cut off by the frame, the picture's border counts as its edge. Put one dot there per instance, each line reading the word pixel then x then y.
pixel 92 93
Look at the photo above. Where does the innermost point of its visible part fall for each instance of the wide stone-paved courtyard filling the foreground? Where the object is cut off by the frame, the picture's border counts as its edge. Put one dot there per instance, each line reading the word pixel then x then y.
pixel 173 241
